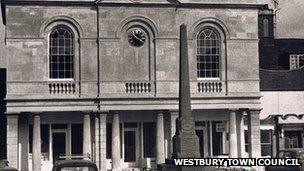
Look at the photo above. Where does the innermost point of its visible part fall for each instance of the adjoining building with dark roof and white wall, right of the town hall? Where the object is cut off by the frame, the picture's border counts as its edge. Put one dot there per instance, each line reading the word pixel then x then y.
pixel 281 76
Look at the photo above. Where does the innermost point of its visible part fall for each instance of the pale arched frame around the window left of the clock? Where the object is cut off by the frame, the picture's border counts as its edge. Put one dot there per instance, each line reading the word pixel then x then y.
pixel 72 32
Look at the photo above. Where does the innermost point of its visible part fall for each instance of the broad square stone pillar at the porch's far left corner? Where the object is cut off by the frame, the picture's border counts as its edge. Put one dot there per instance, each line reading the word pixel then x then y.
pixel 12 140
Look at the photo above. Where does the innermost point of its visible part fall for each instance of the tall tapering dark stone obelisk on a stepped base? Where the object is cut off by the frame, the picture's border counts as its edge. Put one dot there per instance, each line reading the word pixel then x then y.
pixel 186 143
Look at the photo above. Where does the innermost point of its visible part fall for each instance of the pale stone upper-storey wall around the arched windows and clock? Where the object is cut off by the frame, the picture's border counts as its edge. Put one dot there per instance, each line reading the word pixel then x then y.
pixel 155 65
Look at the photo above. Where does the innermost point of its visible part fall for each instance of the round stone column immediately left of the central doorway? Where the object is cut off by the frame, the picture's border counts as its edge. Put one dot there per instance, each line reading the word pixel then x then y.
pixel 116 159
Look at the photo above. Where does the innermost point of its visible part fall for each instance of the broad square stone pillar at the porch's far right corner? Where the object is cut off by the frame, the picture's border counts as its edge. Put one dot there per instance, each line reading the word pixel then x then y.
pixel 254 133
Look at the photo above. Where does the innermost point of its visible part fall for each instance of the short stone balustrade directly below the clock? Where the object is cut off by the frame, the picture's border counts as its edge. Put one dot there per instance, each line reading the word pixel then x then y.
pixel 138 87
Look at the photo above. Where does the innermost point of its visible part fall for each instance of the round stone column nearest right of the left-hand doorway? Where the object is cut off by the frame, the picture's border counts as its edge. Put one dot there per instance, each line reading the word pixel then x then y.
pixel 87 151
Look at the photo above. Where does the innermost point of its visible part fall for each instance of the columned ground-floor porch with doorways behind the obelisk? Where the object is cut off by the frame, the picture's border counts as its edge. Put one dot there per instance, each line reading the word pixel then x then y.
pixel 124 140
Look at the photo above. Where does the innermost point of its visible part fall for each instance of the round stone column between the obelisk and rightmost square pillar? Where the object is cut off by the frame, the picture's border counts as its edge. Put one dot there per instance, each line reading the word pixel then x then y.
pixel 233 148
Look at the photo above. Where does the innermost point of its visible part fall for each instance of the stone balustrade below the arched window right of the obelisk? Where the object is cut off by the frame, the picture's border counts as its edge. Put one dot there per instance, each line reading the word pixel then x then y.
pixel 210 86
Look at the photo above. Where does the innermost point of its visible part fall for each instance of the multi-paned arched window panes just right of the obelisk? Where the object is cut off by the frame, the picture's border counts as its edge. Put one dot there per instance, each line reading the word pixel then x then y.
pixel 208 54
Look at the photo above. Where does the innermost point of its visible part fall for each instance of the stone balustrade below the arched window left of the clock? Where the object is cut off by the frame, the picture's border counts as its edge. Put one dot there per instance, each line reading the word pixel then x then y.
pixel 62 88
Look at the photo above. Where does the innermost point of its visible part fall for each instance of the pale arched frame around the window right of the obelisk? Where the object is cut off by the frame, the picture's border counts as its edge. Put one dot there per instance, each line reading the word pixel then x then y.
pixel 221 47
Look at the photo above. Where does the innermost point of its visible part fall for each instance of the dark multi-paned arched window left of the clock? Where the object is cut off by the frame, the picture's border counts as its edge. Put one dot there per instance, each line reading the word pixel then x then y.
pixel 61 53
